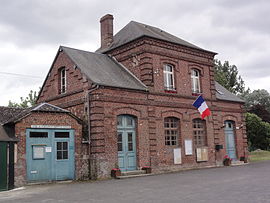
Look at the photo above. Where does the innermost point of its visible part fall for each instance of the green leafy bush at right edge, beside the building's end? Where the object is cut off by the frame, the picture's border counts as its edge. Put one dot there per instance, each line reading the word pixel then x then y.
pixel 258 132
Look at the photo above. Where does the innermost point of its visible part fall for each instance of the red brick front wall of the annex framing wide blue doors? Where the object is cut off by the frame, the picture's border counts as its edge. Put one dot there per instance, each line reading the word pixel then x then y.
pixel 60 119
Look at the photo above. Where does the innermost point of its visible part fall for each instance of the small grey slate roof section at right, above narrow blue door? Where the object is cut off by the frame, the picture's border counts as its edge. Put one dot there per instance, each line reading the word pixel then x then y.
pixel 223 94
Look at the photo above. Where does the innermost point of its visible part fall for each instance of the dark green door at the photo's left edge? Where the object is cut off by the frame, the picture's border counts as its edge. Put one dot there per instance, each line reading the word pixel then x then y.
pixel 3 166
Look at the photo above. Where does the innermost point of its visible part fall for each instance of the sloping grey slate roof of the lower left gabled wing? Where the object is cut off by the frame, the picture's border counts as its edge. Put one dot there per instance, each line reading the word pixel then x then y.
pixel 103 70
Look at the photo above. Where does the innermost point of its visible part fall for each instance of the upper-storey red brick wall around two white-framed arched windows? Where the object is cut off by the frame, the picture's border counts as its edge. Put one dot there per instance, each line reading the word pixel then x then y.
pixel 146 57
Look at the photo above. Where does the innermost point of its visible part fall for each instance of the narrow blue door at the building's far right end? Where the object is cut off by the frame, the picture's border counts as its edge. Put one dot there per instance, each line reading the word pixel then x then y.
pixel 230 139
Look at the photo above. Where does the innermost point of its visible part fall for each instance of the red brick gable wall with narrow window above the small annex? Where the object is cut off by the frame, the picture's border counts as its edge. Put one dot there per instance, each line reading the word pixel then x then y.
pixel 77 85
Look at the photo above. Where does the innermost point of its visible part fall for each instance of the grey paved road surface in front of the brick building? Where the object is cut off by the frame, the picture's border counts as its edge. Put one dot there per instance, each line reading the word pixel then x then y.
pixel 248 183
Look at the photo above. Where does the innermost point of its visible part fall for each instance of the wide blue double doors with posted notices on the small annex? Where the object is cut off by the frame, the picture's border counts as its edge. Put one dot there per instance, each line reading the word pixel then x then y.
pixel 49 154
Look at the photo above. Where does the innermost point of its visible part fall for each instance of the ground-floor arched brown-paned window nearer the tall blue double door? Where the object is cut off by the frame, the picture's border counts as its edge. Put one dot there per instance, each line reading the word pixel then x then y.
pixel 171 130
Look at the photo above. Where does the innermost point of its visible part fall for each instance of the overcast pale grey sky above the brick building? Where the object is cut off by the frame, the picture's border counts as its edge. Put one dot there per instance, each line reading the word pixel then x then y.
pixel 32 30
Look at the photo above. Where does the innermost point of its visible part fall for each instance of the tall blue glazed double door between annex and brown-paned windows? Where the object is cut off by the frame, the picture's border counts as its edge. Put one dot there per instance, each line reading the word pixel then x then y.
pixel 126 143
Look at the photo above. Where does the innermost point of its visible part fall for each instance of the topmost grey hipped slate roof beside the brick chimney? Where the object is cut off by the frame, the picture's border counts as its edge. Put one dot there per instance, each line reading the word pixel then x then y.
pixel 134 30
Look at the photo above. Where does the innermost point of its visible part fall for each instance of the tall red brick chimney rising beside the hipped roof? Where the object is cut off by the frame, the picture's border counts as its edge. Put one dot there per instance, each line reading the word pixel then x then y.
pixel 106 30
